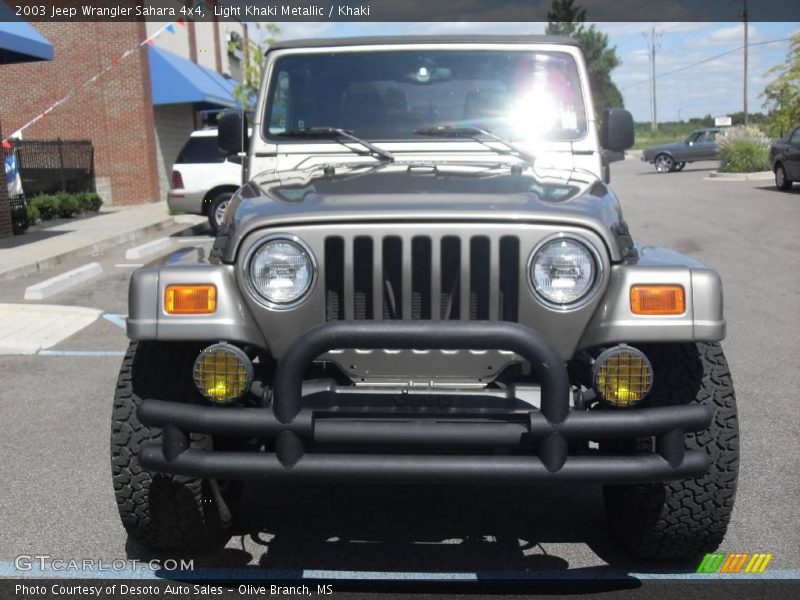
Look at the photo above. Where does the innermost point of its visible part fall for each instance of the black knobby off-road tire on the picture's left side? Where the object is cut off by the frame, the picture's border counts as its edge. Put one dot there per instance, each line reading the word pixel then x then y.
pixel 160 511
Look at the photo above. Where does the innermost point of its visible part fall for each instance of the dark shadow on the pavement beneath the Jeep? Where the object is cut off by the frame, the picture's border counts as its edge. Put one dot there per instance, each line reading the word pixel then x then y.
pixel 497 534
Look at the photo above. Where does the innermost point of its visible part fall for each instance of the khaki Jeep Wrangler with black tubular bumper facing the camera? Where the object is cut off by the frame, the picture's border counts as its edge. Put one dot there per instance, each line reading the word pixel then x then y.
pixel 426 279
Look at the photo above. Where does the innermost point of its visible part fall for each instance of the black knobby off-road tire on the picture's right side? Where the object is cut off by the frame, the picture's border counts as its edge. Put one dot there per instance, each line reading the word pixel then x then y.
pixel 685 518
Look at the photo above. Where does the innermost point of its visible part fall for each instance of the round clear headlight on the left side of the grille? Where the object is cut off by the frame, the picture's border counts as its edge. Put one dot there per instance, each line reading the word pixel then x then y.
pixel 281 271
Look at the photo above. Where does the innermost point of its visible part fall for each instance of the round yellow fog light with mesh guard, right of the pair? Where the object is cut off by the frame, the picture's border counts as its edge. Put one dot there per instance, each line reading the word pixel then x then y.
pixel 622 375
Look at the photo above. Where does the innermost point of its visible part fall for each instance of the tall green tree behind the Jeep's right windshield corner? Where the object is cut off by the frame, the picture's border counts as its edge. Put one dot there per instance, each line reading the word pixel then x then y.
pixel 564 18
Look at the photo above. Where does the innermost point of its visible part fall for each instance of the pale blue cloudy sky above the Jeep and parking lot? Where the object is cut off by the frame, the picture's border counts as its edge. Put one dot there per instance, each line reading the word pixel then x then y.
pixel 715 87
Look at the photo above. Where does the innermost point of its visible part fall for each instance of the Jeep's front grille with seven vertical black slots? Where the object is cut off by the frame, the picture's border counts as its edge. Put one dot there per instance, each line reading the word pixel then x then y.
pixel 421 277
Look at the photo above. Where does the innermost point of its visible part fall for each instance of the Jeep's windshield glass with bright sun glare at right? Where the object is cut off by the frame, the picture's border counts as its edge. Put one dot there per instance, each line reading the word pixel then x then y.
pixel 387 95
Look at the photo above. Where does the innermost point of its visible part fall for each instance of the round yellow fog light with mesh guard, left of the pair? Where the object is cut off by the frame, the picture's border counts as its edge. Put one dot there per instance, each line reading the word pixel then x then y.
pixel 222 373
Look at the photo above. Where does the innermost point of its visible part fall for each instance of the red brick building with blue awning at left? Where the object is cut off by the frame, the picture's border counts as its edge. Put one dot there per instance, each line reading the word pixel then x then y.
pixel 139 113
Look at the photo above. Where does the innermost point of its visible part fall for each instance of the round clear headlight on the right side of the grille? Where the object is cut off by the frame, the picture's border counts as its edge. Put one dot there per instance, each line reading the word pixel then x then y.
pixel 563 271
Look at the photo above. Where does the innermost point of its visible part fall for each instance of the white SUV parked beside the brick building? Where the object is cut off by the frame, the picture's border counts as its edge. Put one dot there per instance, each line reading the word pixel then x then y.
pixel 204 178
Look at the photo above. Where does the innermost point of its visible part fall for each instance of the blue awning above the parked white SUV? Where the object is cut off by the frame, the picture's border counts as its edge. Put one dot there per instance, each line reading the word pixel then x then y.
pixel 177 80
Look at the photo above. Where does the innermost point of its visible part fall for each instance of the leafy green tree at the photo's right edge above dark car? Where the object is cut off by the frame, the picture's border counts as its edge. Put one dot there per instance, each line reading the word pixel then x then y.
pixel 782 94
